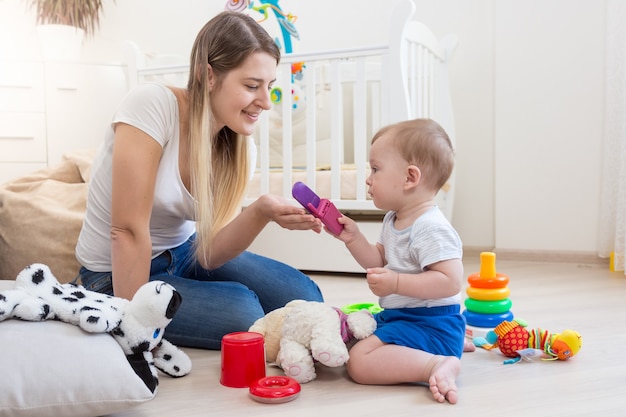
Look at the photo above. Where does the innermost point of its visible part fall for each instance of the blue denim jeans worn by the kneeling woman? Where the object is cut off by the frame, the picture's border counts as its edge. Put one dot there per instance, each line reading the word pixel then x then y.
pixel 218 301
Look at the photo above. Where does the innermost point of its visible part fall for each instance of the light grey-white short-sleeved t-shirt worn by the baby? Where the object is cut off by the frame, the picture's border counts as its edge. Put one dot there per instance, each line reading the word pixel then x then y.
pixel 430 239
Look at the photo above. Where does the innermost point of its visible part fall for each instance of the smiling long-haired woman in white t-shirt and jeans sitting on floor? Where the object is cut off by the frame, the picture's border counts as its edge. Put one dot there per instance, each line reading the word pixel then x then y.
pixel 166 189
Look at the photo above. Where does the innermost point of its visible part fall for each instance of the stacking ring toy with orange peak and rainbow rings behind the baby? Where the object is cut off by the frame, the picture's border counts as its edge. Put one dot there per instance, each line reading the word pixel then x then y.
pixel 488 304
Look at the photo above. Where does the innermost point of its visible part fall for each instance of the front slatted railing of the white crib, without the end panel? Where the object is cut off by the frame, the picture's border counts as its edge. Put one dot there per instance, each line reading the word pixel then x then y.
pixel 327 76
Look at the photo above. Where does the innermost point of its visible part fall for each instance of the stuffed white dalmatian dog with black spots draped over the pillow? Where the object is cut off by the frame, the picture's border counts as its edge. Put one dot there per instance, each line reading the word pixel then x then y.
pixel 137 325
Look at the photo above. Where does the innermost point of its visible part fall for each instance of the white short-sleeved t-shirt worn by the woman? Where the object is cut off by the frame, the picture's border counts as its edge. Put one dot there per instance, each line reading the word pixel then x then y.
pixel 153 109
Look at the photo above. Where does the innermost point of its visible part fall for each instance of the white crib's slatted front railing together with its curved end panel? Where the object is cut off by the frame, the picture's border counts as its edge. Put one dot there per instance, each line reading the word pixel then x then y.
pixel 405 79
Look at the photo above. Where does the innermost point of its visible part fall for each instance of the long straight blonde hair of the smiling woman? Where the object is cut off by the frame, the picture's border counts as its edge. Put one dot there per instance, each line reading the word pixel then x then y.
pixel 219 164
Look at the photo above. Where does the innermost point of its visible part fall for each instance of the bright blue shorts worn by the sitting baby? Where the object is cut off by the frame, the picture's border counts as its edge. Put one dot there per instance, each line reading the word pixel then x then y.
pixel 436 330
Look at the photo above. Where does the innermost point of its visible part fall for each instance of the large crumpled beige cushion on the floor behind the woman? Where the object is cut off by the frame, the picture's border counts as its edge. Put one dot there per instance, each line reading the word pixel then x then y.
pixel 42 214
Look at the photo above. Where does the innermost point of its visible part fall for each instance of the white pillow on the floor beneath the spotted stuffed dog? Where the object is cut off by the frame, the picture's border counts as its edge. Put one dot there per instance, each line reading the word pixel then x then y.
pixel 56 369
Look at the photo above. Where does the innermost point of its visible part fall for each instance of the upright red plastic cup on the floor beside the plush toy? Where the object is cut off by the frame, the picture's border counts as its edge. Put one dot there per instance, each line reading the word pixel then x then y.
pixel 243 359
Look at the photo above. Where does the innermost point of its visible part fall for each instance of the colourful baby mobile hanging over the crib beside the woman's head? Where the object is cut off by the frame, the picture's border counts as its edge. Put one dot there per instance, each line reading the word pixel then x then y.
pixel 262 11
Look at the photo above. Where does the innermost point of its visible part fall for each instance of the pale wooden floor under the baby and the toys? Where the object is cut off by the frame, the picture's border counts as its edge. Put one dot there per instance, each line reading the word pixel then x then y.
pixel 554 296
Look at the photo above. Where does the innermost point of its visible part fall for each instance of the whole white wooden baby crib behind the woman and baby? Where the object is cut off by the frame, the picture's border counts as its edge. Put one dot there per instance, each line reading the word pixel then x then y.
pixel 319 131
